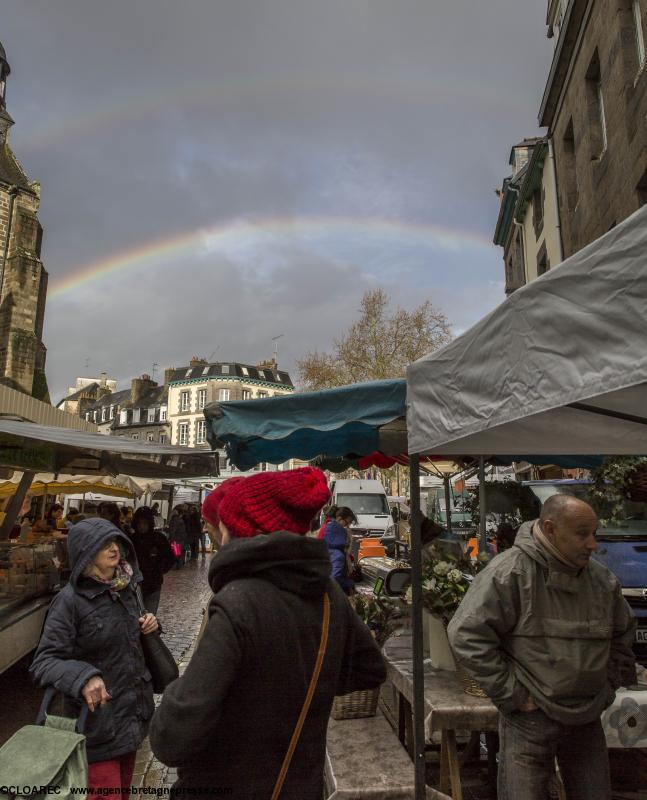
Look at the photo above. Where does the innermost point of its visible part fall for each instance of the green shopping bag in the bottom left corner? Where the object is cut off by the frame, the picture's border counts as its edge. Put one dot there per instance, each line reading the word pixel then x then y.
pixel 46 759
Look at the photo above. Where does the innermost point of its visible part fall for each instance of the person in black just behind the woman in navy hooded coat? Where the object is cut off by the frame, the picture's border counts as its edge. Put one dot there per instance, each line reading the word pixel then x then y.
pixel 154 556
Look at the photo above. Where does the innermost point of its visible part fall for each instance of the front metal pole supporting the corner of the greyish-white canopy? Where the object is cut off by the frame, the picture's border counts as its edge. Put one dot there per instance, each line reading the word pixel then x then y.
pixel 416 620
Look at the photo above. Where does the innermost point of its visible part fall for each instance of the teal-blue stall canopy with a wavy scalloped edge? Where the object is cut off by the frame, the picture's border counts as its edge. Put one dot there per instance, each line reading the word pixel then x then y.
pixel 347 421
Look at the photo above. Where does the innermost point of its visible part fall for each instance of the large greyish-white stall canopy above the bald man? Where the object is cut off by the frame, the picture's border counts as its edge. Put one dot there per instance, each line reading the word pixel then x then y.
pixel 559 367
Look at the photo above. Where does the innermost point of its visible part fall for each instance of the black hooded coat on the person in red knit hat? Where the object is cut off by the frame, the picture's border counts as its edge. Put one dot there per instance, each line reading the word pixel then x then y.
pixel 227 722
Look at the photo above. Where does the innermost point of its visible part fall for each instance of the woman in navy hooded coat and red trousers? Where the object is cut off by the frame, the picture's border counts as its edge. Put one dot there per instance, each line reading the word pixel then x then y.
pixel 90 650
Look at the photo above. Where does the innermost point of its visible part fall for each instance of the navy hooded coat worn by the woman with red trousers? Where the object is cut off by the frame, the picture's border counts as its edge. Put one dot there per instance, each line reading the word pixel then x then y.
pixel 92 630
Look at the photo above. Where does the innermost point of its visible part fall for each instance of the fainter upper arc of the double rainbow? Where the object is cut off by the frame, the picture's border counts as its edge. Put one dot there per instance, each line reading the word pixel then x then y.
pixel 420 90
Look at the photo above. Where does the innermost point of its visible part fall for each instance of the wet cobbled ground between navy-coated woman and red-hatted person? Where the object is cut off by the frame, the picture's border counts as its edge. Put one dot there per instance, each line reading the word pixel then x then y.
pixel 184 595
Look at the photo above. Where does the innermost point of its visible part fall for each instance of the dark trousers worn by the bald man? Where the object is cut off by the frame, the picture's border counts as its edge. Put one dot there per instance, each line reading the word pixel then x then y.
pixel 529 744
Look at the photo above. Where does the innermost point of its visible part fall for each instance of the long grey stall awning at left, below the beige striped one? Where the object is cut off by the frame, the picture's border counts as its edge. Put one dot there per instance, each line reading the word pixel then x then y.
pixel 27 446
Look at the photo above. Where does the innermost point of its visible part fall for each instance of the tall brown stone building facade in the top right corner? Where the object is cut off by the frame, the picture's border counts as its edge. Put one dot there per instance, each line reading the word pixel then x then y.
pixel 595 109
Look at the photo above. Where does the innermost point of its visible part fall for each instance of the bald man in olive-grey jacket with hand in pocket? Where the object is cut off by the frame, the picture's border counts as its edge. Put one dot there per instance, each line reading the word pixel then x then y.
pixel 547 633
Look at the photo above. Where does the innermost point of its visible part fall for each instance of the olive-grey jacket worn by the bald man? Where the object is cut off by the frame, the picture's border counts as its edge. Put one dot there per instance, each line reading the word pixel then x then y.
pixel 531 625
